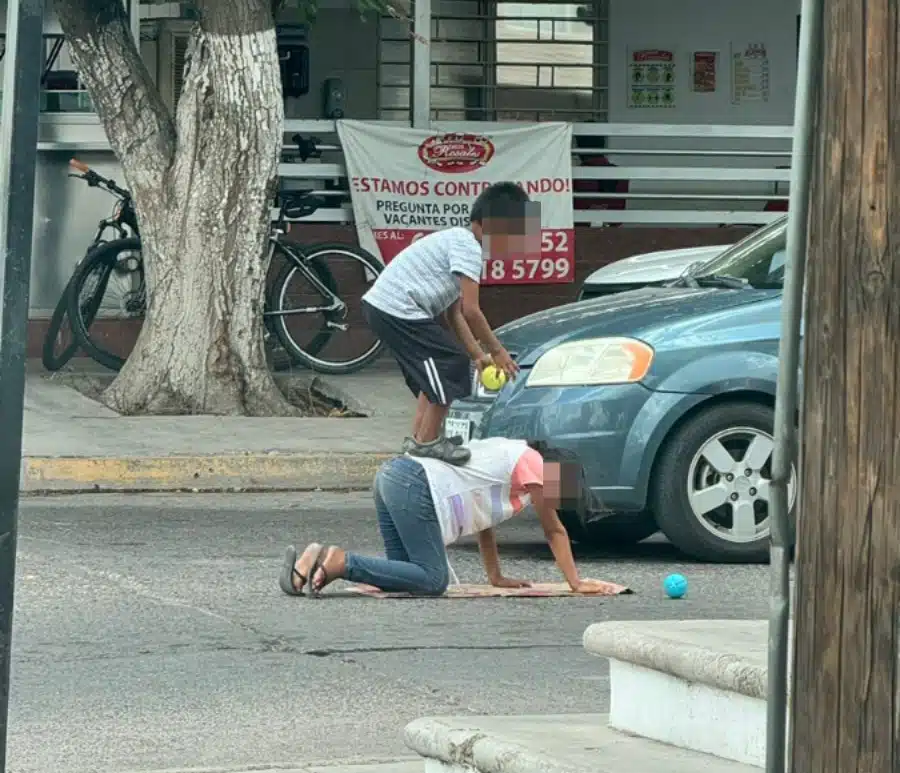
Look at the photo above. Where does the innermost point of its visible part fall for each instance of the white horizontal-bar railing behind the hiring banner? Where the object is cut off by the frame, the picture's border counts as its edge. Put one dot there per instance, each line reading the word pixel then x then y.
pixel 676 174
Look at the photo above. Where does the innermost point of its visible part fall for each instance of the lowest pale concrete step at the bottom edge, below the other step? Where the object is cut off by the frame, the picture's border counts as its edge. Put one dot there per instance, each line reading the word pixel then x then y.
pixel 568 743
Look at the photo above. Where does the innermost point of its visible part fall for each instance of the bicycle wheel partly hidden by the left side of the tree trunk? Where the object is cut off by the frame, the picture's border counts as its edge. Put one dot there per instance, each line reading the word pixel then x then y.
pixel 110 280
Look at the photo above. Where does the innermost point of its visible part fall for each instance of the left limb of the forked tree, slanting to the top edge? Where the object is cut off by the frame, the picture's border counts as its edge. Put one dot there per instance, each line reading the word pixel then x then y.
pixel 138 124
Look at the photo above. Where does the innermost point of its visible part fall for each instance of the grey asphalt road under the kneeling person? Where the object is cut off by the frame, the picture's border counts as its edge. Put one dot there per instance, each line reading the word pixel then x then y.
pixel 150 635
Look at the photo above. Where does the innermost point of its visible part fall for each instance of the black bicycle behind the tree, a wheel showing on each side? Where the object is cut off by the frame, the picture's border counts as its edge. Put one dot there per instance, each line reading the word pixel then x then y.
pixel 118 265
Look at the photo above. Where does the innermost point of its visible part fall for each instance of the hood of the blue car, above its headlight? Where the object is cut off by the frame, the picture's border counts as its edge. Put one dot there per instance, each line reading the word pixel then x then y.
pixel 638 313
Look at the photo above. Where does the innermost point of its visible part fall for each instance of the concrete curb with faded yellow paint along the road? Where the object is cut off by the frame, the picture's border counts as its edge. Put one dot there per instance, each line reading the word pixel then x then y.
pixel 249 472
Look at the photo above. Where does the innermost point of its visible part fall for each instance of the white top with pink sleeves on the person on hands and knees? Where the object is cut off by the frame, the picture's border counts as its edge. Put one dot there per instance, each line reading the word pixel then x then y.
pixel 480 494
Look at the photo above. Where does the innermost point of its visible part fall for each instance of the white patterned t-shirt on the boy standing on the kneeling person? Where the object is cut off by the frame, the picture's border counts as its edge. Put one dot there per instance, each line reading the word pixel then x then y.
pixel 421 282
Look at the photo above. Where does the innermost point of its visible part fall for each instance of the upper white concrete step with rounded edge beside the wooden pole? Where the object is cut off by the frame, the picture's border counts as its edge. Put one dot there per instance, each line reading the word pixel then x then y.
pixel 695 684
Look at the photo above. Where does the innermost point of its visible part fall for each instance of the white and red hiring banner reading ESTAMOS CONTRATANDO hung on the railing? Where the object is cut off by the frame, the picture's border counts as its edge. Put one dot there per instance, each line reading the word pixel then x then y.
pixel 406 183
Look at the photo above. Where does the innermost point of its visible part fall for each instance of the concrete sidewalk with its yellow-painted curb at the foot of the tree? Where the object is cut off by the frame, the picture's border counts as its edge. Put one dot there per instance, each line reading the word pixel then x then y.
pixel 72 443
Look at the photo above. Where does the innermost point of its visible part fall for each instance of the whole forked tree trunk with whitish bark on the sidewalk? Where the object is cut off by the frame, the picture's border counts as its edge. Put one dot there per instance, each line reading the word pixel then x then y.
pixel 203 185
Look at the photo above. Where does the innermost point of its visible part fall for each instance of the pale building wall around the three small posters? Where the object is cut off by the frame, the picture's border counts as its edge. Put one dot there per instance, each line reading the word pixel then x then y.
pixel 683 27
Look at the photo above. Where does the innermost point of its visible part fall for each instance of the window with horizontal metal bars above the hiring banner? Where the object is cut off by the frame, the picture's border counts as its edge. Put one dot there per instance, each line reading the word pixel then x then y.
pixel 534 60
